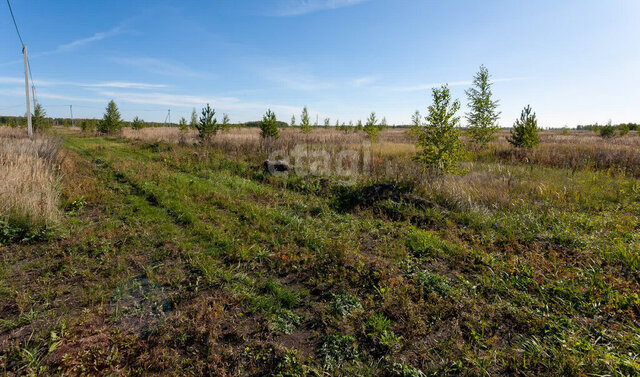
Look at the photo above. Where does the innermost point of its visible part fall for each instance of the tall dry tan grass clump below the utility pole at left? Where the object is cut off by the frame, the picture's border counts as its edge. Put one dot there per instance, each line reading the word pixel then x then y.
pixel 29 179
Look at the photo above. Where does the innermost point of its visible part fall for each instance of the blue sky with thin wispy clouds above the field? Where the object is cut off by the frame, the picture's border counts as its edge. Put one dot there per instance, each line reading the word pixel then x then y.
pixel 574 61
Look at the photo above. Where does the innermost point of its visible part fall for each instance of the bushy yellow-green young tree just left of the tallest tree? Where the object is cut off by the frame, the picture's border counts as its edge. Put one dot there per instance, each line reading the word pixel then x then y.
pixel 439 137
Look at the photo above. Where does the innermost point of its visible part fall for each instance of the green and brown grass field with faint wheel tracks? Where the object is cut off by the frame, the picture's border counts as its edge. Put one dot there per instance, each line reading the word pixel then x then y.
pixel 169 258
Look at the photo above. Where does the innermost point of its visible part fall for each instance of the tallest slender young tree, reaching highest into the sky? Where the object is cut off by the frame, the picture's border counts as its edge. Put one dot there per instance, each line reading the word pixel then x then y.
pixel 483 115
